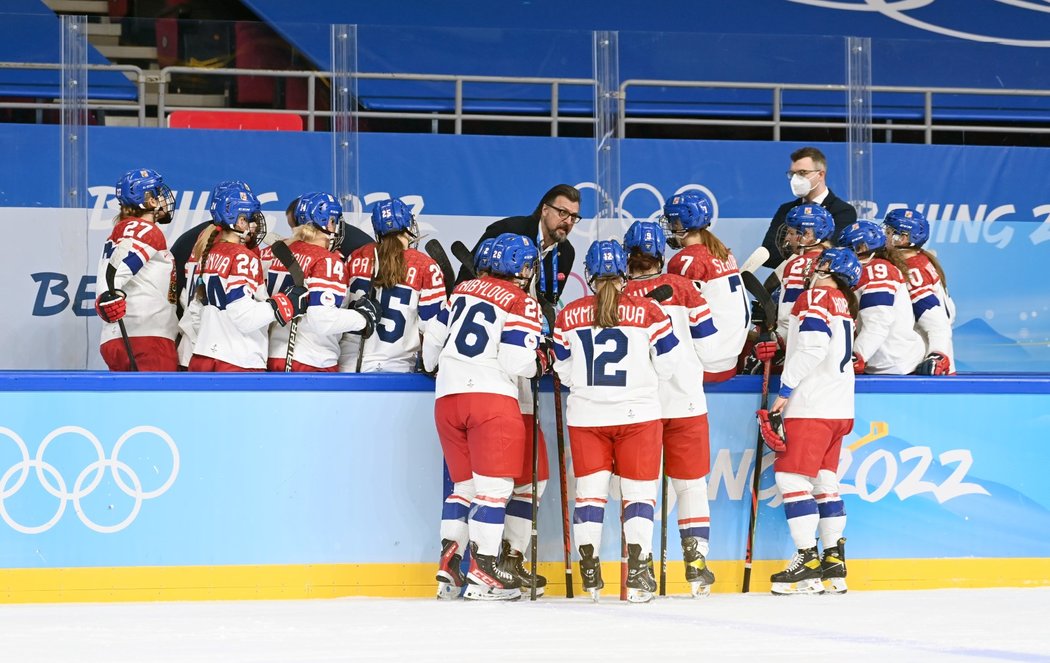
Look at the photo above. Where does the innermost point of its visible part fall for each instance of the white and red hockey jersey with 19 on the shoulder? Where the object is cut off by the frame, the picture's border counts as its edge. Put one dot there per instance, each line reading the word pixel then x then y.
pixel 887 338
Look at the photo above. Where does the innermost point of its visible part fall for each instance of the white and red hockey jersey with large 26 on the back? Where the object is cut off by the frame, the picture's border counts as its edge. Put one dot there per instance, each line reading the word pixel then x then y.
pixel 485 340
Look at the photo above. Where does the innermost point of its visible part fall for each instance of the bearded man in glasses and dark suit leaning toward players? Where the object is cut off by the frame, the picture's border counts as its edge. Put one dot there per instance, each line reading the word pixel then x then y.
pixel 549 226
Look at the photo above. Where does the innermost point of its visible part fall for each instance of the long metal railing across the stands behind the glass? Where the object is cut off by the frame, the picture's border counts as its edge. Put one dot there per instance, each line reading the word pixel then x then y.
pixel 459 111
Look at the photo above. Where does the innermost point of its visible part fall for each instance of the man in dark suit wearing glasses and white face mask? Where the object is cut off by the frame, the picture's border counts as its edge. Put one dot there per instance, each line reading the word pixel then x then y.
pixel 808 177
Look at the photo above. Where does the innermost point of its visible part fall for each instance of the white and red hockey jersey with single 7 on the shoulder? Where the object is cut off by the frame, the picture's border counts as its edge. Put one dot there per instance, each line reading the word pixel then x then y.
pixel 720 283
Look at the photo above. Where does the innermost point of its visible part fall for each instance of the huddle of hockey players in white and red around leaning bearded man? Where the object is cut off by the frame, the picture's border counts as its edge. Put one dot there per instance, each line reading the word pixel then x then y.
pixel 635 356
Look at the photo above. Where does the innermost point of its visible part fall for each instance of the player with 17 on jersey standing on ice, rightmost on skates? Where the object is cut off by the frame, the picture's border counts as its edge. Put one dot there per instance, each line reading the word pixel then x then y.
pixel 816 407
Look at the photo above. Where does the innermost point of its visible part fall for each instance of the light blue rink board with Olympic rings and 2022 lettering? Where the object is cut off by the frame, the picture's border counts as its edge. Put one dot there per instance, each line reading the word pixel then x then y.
pixel 233 470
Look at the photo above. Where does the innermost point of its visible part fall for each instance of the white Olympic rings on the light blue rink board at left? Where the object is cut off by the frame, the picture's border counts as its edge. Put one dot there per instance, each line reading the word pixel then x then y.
pixel 89 480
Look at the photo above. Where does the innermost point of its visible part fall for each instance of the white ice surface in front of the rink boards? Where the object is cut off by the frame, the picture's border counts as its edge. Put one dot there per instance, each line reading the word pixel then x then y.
pixel 898 627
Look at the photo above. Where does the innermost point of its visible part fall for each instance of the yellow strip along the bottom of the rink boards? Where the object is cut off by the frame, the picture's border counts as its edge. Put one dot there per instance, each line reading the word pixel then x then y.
pixel 416 581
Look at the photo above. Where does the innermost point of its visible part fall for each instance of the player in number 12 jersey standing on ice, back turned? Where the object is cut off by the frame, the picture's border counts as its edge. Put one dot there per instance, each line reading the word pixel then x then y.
pixel 613 350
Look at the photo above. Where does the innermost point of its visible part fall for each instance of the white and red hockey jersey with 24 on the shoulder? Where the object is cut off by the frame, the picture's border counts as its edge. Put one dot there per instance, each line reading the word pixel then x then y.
pixel 237 317
